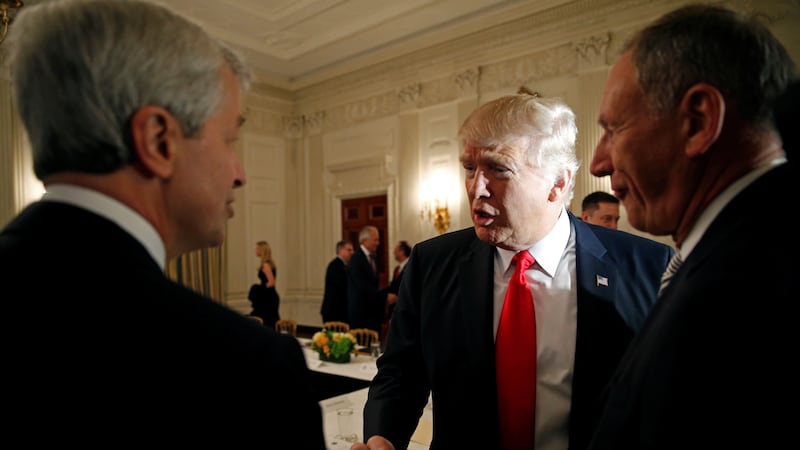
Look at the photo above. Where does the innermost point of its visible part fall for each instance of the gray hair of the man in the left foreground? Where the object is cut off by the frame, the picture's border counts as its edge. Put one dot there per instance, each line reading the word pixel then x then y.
pixel 80 70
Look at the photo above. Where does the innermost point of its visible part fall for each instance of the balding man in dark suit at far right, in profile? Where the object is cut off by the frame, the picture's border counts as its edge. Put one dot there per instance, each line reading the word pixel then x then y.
pixel 692 151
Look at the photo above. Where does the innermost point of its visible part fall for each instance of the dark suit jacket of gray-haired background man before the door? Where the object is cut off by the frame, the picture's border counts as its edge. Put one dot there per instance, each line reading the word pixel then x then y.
pixel 365 301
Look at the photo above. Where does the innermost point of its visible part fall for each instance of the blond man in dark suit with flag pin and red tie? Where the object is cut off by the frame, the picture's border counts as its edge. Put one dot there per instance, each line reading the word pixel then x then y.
pixel 591 287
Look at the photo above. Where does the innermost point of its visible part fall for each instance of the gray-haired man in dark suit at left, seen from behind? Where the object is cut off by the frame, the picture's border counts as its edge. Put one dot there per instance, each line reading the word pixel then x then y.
pixel 132 112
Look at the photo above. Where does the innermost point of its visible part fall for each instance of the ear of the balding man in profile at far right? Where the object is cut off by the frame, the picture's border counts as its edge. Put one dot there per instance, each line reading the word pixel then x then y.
pixel 704 109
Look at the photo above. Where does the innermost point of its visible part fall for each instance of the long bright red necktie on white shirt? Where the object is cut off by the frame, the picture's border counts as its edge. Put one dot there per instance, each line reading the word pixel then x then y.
pixel 516 360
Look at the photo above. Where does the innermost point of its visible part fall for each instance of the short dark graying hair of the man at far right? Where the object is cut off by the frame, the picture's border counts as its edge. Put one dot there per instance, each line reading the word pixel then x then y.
pixel 735 53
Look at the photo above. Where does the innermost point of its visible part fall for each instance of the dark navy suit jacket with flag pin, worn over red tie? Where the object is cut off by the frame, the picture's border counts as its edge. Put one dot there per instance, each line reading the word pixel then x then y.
pixel 442 335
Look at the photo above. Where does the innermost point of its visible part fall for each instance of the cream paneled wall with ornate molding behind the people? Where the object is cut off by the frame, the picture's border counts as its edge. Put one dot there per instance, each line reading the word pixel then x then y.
pixel 388 127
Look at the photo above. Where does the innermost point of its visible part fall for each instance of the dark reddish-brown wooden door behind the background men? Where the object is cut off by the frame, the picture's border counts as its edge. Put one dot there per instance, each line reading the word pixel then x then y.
pixel 360 212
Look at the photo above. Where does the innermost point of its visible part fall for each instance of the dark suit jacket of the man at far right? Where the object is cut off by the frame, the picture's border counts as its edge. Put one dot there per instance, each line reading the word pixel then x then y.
pixel 713 366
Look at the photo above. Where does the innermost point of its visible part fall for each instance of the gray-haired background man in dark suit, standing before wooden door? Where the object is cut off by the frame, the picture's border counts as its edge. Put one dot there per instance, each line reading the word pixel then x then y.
pixel 365 299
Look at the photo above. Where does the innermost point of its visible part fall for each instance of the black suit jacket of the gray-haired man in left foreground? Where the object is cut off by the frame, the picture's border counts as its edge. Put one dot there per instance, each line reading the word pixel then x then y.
pixel 100 347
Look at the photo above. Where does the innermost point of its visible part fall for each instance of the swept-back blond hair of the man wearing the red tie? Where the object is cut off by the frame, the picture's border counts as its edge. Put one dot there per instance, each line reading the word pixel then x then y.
pixel 548 125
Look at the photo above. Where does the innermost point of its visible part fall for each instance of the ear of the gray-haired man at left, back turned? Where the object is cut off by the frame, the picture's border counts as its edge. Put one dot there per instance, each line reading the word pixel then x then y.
pixel 154 133
